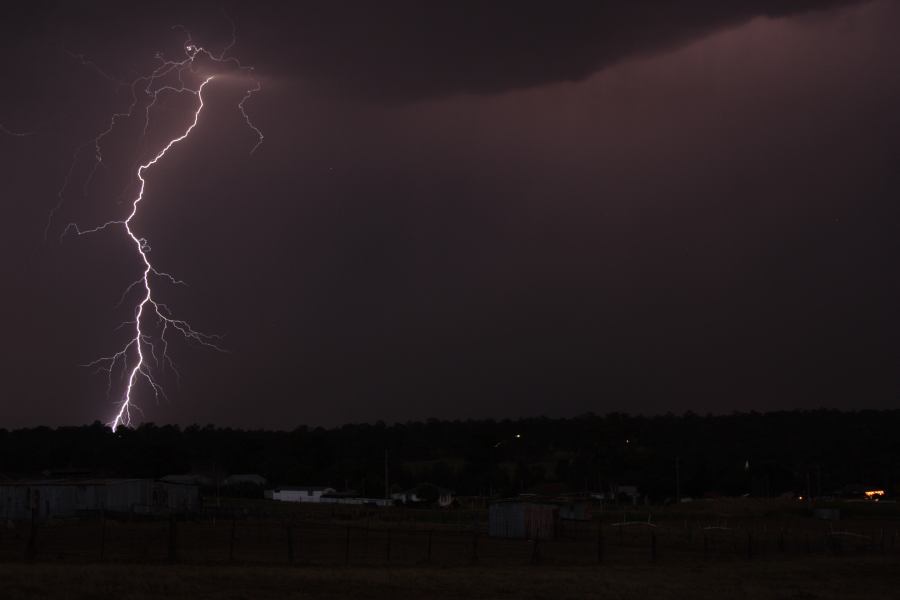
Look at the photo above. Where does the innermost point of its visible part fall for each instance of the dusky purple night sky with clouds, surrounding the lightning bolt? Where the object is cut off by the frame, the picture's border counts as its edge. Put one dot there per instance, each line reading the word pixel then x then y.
pixel 464 209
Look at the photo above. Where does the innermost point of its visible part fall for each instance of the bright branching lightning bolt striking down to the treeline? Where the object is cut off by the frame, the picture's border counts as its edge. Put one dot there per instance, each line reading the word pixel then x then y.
pixel 146 352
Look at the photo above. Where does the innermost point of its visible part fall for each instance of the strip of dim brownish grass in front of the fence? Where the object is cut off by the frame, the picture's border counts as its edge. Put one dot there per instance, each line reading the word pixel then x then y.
pixel 823 579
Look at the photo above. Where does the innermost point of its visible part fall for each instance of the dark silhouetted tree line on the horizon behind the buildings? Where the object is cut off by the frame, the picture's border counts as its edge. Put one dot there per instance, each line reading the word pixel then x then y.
pixel 760 454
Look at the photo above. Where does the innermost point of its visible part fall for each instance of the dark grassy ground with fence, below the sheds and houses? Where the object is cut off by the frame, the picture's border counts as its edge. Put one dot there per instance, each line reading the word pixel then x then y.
pixel 737 549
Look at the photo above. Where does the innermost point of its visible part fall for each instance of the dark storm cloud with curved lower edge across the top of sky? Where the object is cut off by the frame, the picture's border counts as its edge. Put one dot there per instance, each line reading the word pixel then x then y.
pixel 404 49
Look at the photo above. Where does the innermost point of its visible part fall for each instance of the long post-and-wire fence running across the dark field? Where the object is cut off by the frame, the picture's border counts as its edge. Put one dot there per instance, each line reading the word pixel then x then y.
pixel 377 543
